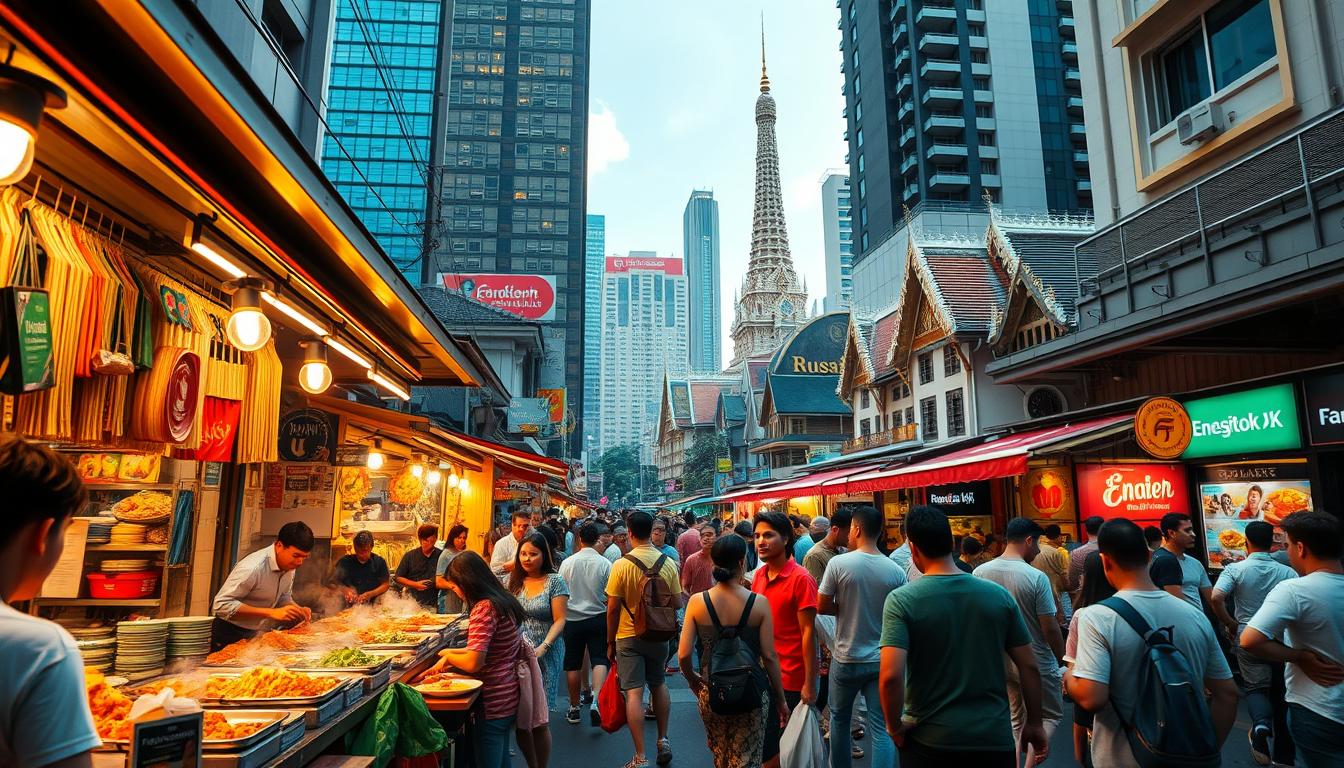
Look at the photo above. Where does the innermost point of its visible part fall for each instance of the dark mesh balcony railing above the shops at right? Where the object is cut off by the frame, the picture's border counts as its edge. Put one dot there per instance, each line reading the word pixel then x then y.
pixel 1236 209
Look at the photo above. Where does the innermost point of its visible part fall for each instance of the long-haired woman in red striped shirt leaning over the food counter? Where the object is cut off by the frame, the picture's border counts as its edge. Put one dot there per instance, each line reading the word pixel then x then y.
pixel 491 654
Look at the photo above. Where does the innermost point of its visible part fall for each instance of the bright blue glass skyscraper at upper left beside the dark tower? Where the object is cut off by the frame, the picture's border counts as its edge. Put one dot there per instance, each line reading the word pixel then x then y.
pixel 385 59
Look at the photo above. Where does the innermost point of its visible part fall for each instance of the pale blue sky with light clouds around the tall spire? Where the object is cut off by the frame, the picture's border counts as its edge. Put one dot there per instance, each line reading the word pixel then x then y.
pixel 674 89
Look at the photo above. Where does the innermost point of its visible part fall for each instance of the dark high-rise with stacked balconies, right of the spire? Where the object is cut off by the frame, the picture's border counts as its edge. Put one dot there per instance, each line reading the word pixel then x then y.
pixel 950 103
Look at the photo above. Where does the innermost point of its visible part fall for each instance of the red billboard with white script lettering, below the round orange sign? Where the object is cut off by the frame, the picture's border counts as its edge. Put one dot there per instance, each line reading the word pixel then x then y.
pixel 1140 493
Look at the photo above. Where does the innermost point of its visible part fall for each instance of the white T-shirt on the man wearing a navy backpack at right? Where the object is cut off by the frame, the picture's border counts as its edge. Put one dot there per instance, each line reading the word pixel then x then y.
pixel 1111 653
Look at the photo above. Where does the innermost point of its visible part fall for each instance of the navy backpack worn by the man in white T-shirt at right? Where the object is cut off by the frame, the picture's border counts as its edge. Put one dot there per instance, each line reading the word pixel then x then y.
pixel 1171 726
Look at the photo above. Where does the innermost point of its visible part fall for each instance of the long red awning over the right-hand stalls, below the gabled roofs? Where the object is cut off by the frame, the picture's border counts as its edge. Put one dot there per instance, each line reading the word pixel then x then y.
pixel 1003 458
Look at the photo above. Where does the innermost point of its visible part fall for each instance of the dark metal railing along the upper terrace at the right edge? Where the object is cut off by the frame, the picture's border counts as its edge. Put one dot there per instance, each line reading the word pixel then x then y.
pixel 1273 180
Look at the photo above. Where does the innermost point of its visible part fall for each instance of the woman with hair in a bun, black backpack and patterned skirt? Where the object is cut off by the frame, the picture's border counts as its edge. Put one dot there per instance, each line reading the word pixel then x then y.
pixel 739 661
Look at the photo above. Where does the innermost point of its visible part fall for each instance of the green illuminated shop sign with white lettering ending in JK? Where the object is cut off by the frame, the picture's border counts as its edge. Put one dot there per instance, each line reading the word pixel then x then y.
pixel 1252 422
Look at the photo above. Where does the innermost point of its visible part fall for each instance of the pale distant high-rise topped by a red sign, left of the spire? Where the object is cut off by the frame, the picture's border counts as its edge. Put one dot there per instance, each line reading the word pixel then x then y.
pixel 644 340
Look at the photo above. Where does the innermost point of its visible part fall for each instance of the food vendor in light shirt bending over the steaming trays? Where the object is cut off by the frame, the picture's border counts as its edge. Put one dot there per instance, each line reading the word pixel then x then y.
pixel 260 592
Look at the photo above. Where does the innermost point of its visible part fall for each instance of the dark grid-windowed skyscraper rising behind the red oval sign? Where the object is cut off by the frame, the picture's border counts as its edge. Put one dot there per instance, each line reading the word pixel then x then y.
pixel 514 170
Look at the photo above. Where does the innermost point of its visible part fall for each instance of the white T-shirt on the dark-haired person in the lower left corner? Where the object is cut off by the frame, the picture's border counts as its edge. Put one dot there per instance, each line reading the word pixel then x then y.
pixel 44 707
